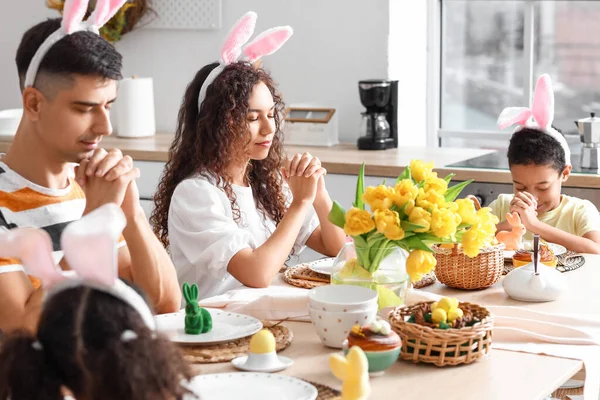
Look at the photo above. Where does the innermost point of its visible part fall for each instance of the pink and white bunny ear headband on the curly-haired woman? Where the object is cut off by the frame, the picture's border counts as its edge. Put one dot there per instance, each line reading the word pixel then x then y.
pixel 235 47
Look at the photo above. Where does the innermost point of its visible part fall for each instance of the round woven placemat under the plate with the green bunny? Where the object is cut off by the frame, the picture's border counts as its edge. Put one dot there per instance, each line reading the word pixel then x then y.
pixel 224 352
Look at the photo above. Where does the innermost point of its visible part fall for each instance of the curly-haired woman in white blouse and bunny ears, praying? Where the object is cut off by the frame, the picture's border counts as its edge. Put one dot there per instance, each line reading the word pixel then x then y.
pixel 229 205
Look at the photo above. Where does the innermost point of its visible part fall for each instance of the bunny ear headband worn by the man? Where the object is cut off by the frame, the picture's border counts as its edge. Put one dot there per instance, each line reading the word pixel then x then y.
pixel 73 14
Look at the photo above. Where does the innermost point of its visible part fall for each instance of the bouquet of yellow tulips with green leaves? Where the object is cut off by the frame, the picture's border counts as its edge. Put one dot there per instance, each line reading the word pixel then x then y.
pixel 418 211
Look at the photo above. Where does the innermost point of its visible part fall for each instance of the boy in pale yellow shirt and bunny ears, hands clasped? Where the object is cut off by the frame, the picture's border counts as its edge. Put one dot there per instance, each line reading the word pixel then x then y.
pixel 540 162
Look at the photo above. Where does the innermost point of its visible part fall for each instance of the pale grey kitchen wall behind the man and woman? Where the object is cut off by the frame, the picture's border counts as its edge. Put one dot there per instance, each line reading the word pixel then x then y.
pixel 335 44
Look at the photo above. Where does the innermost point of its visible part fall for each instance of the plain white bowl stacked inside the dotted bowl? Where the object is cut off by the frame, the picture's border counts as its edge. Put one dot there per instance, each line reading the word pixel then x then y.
pixel 342 298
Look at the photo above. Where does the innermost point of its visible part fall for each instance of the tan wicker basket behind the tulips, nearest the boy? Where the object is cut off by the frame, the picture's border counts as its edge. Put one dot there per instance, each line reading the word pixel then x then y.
pixel 457 270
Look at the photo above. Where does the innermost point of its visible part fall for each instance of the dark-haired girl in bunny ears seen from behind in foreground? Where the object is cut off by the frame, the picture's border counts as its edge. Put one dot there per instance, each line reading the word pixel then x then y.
pixel 96 336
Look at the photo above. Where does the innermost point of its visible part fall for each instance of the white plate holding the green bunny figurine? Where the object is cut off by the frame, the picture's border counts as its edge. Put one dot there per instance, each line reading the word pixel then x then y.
pixel 226 327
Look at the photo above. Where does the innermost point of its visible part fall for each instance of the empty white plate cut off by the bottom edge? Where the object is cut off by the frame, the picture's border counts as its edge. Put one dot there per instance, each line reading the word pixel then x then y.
pixel 251 386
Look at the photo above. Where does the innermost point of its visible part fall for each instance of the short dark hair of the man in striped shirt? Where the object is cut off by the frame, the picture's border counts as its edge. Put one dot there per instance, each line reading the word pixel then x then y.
pixel 82 53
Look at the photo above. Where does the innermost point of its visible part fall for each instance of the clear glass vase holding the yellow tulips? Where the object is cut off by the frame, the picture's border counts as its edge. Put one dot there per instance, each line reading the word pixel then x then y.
pixel 382 269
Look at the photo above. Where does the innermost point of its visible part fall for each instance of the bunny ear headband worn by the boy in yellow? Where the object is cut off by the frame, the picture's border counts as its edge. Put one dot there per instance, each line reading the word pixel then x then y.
pixel 539 116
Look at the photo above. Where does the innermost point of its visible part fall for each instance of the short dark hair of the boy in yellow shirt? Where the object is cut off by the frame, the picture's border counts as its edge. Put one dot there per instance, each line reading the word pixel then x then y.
pixel 531 146
